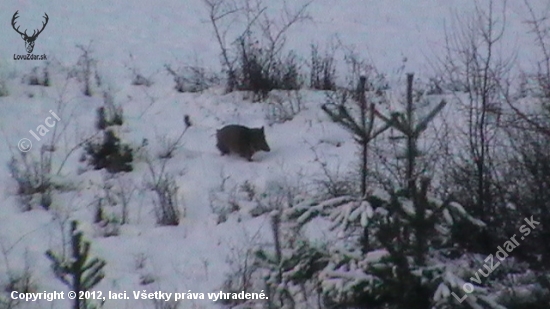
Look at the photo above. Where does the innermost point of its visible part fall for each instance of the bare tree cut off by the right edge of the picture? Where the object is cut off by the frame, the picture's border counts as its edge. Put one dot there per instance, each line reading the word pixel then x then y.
pixel 529 135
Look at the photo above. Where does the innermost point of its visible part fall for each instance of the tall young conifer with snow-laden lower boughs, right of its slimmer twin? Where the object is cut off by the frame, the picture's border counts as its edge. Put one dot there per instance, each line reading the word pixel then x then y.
pixel 411 260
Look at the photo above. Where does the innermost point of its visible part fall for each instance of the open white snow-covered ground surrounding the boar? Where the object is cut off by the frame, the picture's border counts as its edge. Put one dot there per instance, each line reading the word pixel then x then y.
pixel 193 255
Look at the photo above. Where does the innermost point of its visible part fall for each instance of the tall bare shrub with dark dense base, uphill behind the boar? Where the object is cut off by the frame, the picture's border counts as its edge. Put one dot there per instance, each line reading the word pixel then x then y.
pixel 251 65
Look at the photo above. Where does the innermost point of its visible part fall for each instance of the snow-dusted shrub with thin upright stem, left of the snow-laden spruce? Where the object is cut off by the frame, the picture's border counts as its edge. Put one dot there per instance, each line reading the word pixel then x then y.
pixel 282 267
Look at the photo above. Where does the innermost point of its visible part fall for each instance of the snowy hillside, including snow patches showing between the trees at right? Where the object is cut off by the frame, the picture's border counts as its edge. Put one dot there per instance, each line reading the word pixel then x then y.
pixel 217 195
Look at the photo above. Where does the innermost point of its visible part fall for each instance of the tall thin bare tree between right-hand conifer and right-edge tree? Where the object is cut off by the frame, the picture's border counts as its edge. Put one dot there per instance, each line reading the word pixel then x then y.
pixel 478 75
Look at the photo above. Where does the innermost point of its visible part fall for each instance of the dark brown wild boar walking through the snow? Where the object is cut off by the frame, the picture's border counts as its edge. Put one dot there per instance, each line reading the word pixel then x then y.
pixel 241 140
